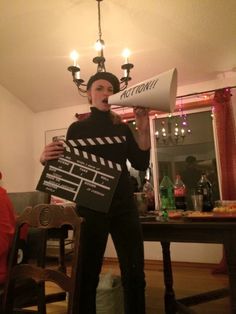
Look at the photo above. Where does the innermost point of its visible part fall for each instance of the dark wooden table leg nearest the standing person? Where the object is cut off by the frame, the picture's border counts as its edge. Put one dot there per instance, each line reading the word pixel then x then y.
pixel 170 302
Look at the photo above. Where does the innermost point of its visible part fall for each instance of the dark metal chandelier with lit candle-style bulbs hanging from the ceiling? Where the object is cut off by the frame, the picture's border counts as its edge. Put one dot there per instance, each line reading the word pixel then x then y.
pixel 100 61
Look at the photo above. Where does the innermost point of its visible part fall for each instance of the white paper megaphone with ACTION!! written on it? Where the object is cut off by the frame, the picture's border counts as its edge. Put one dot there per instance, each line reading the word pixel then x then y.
pixel 158 92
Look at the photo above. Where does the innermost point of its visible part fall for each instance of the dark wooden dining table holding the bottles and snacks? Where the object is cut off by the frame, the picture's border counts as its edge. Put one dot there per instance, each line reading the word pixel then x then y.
pixel 193 231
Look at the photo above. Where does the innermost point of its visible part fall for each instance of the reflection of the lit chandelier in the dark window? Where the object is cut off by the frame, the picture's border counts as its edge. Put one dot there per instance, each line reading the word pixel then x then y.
pixel 173 129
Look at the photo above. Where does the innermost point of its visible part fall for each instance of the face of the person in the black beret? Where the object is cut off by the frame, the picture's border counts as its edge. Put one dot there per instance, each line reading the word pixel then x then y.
pixel 98 94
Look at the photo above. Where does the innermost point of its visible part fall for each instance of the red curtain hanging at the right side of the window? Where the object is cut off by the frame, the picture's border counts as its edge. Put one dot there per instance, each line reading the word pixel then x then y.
pixel 226 134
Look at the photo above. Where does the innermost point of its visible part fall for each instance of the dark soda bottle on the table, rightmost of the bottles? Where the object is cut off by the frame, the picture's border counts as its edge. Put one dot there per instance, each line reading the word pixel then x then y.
pixel 204 187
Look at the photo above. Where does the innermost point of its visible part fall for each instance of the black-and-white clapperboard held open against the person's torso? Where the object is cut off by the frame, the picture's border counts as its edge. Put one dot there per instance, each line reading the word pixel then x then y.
pixel 81 177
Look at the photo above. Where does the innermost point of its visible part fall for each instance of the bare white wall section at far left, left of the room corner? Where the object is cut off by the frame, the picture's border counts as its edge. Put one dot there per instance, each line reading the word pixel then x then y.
pixel 16 143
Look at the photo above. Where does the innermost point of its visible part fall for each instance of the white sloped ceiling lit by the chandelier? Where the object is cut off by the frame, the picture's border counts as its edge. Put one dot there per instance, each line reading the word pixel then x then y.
pixel 195 36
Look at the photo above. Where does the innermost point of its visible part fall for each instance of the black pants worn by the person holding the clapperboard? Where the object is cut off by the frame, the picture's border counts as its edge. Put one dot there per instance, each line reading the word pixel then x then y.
pixel 126 233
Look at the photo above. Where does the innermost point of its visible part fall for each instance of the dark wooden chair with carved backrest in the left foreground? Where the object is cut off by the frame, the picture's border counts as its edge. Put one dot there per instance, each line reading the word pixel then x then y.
pixel 29 279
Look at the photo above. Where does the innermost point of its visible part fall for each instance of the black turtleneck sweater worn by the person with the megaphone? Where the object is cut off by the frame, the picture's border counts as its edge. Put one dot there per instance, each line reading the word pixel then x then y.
pixel 100 124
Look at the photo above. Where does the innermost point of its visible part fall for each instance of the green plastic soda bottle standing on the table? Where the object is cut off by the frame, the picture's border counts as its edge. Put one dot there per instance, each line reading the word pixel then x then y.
pixel 167 194
